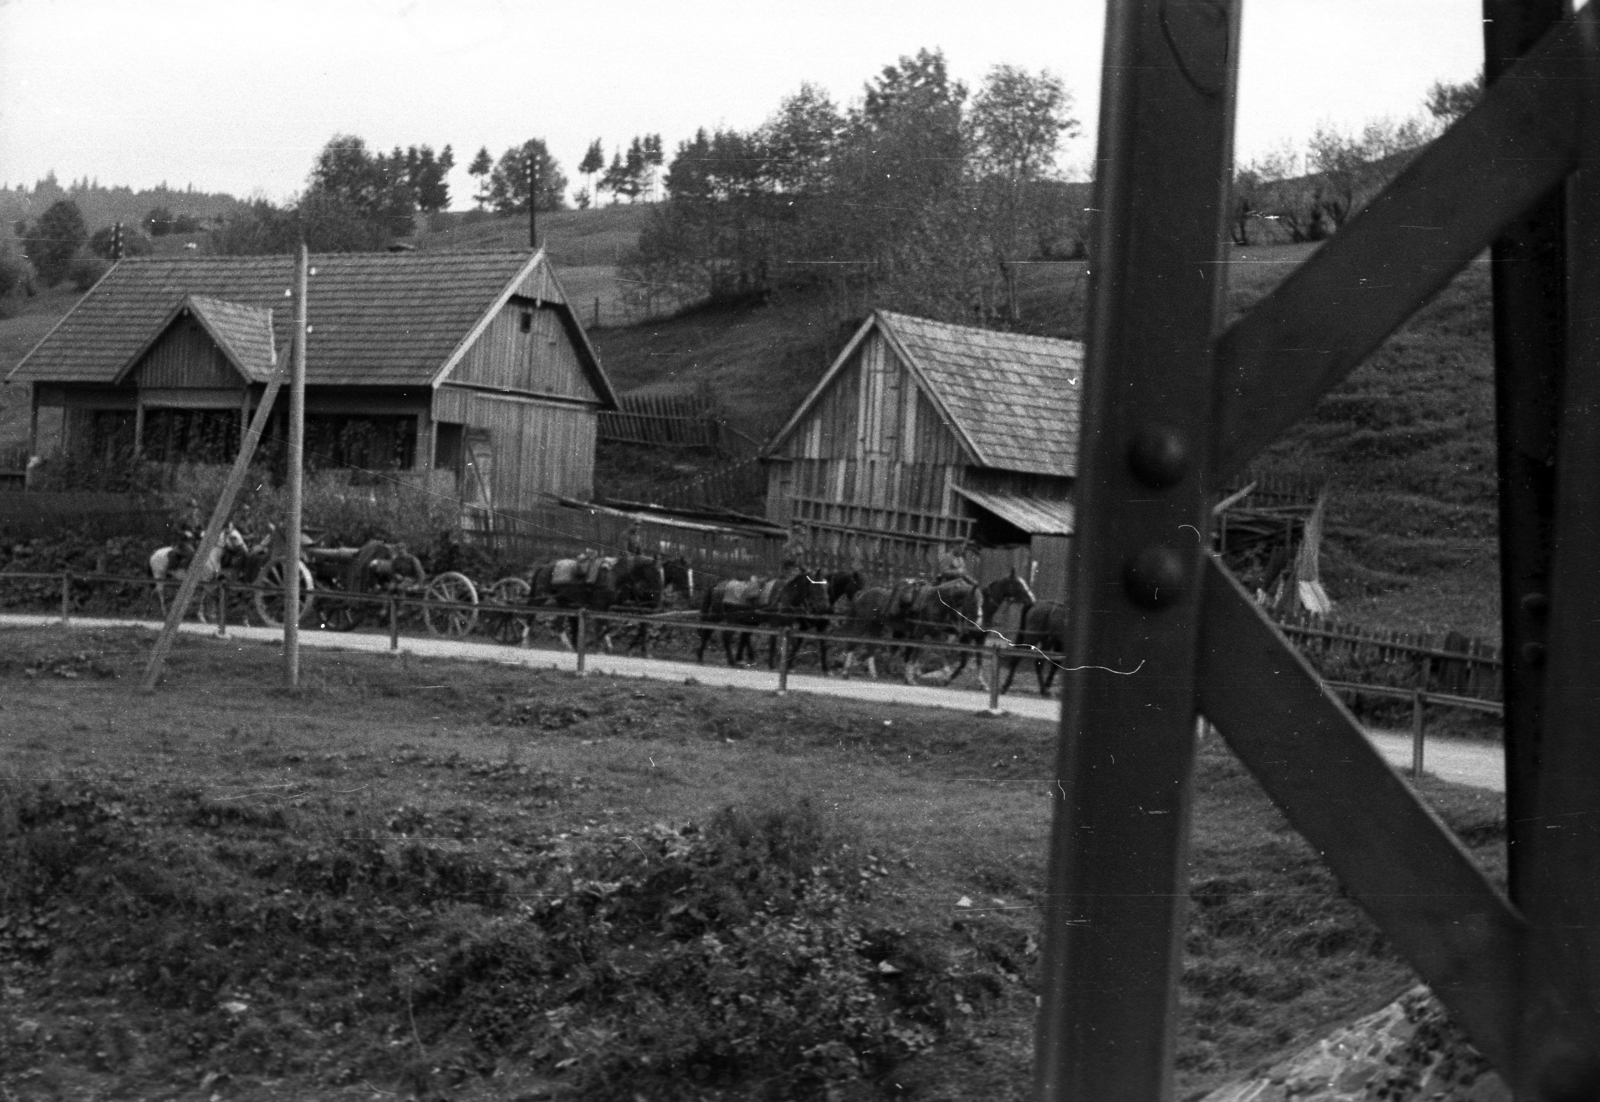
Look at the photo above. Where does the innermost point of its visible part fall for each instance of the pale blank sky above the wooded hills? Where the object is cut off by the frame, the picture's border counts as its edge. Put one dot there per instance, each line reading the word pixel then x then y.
pixel 239 95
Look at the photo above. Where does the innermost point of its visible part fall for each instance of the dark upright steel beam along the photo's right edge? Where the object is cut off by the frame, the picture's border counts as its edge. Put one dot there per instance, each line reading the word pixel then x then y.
pixel 1559 1060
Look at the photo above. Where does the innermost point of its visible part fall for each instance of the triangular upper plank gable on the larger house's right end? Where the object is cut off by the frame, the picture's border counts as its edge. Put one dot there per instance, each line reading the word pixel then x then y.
pixel 542 361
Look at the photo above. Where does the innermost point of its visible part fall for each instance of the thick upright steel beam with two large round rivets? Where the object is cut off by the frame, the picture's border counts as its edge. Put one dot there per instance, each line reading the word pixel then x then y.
pixel 1118 866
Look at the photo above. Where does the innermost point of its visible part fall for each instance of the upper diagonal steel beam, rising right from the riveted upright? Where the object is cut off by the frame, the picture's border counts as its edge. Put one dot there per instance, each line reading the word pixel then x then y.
pixel 1340 306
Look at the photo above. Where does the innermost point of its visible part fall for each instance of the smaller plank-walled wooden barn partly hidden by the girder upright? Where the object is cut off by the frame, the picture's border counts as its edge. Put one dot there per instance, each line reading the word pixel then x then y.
pixel 922 434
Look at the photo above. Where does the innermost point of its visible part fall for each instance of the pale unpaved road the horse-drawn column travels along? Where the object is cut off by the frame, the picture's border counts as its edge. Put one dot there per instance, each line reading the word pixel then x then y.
pixel 1460 761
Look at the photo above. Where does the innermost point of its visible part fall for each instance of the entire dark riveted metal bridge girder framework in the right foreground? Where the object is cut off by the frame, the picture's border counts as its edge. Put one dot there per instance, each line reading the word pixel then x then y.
pixel 1161 629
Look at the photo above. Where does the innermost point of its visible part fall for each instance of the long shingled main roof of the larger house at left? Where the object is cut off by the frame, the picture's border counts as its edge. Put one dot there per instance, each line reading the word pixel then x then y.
pixel 377 319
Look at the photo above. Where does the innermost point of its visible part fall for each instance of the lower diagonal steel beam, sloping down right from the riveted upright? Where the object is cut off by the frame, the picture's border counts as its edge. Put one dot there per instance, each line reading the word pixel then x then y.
pixel 1388 850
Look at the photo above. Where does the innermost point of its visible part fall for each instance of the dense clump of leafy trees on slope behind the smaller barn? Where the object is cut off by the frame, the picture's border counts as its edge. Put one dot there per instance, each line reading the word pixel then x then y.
pixel 919 196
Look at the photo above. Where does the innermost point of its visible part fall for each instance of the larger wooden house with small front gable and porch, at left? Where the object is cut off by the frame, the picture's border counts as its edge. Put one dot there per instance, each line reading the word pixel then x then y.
pixel 466 365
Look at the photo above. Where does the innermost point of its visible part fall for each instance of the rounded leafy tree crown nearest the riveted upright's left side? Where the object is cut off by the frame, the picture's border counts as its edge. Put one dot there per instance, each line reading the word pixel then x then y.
pixel 1018 122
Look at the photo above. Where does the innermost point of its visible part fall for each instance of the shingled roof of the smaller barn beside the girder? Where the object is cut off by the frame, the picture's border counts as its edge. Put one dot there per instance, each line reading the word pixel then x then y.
pixel 1014 399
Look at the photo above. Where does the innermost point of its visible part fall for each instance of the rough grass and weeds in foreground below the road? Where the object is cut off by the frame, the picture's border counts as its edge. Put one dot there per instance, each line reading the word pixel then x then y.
pixel 231 888
